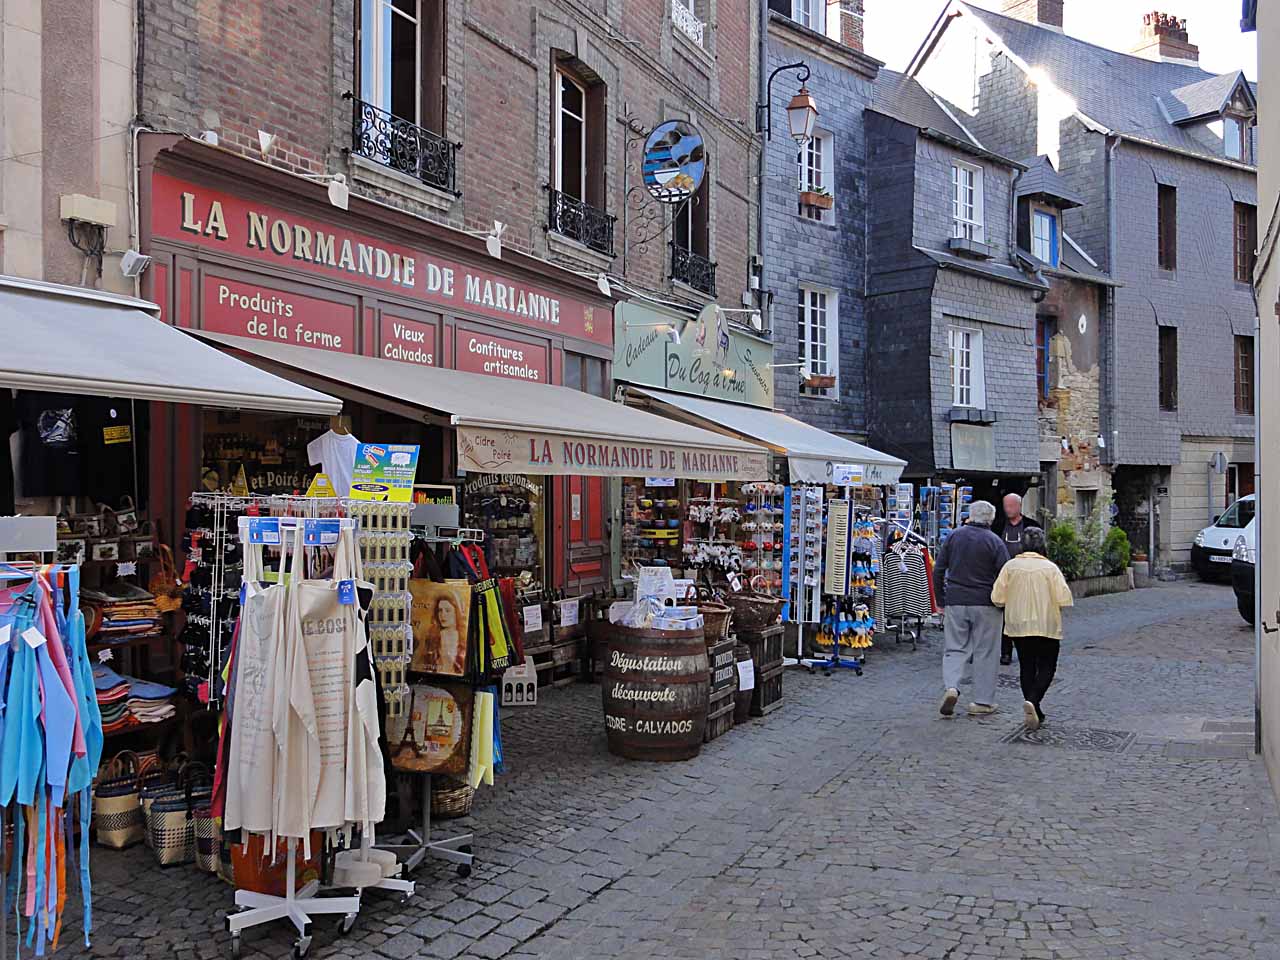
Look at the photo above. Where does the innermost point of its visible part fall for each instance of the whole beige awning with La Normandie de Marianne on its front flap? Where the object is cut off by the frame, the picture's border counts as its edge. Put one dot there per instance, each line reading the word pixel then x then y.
pixel 516 427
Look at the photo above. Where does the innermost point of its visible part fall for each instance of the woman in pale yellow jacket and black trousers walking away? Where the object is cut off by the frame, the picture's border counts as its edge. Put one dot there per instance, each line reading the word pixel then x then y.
pixel 1034 592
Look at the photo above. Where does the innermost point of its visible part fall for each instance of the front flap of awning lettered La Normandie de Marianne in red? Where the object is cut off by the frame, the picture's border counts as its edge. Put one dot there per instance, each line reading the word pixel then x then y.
pixel 486 450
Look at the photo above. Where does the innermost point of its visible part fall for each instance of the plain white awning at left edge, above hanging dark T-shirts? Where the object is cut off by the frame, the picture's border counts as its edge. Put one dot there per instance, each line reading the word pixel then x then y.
pixel 68 340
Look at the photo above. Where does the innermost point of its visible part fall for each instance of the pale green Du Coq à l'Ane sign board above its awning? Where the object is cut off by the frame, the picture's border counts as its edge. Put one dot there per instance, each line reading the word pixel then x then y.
pixel 712 359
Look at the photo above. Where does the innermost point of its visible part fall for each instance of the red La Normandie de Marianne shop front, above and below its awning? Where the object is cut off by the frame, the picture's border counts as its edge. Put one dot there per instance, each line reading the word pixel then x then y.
pixel 248 252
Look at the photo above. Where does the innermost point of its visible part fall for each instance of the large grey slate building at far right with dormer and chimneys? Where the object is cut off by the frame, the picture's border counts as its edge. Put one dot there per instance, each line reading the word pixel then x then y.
pixel 1163 156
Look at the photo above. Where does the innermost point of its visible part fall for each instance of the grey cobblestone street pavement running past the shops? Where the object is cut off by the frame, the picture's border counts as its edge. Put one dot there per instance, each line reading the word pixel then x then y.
pixel 852 824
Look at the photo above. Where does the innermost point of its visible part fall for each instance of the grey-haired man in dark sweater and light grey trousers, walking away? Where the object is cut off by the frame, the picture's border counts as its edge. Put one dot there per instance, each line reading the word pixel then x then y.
pixel 967 569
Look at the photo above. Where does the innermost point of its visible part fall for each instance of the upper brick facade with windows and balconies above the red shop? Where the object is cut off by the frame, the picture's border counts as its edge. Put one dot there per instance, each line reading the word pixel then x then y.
pixel 490 83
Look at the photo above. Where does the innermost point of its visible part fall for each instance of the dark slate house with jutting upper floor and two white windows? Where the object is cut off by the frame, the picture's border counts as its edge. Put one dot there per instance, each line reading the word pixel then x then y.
pixel 950 303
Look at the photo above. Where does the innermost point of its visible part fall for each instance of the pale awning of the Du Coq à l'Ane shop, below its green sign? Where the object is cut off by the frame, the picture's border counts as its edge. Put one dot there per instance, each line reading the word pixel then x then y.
pixel 812 454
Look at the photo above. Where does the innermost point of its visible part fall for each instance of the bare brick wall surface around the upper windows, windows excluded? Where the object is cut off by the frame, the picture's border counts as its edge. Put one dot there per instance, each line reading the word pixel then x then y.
pixel 239 67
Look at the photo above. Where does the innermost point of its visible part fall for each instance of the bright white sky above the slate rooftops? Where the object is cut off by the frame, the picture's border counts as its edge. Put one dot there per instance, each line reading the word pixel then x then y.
pixel 895 29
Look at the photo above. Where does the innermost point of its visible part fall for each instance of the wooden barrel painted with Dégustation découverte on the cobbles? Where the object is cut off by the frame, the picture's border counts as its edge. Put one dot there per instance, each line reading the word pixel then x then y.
pixel 656 692
